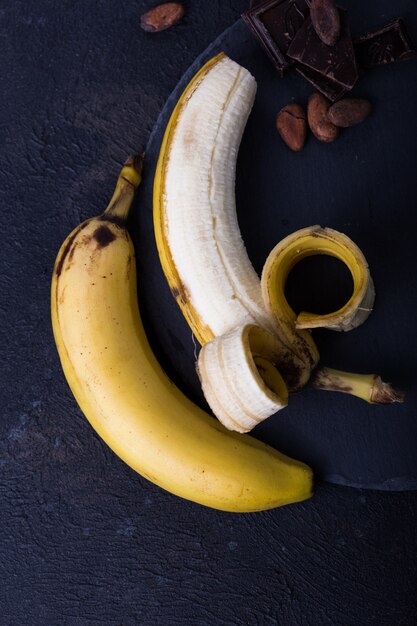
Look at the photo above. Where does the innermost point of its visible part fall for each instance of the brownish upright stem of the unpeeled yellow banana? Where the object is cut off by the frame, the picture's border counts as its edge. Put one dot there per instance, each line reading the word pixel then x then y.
pixel 129 179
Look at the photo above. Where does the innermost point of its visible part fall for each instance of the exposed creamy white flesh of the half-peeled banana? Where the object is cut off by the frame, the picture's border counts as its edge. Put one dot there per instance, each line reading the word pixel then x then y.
pixel 201 225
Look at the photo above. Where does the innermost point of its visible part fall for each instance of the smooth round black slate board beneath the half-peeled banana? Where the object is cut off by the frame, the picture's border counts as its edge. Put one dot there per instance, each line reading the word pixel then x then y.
pixel 365 185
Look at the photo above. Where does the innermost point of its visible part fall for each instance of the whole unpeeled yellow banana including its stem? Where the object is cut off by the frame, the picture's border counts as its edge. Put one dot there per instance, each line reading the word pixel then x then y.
pixel 126 396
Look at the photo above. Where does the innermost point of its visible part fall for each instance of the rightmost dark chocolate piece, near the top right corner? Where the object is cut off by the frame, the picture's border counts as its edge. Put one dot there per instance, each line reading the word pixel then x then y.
pixel 386 45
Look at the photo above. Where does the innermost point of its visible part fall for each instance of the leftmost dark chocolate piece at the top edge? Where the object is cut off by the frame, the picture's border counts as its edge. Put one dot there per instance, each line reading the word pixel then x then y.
pixel 275 23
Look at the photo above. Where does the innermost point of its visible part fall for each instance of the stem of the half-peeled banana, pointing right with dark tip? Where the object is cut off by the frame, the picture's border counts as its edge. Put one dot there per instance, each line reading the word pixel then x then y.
pixel 368 387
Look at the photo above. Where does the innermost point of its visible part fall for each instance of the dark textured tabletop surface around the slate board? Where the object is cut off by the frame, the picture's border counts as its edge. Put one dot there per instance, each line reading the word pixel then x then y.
pixel 83 539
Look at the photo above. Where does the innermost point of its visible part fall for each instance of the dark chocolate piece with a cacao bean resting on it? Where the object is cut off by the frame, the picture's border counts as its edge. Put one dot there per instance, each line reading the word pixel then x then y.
pixel 336 63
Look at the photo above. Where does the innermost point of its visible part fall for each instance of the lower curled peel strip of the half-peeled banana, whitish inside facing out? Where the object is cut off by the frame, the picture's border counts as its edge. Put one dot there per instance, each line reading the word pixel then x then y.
pixel 238 377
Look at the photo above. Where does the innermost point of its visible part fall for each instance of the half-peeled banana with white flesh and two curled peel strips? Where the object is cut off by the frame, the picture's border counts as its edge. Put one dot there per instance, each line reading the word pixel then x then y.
pixel 205 261
